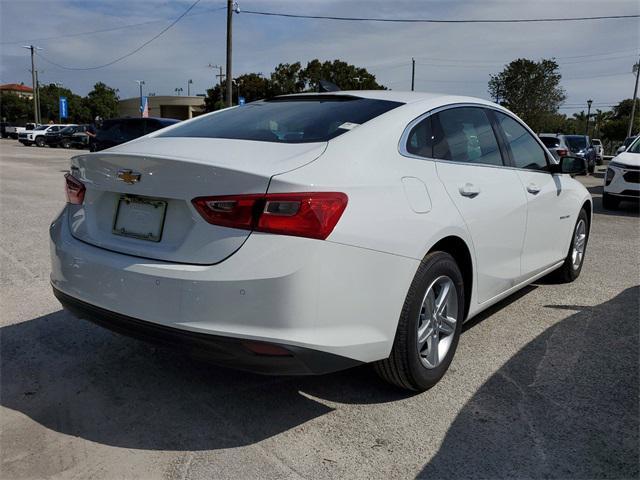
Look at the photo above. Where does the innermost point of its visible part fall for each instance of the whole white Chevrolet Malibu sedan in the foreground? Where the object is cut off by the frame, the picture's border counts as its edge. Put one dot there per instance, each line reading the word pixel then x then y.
pixel 310 233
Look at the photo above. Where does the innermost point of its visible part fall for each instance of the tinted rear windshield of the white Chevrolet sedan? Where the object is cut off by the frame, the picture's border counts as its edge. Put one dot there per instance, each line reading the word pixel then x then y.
pixel 303 119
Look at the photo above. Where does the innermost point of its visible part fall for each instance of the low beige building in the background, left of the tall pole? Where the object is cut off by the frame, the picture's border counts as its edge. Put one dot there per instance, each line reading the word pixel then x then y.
pixel 165 106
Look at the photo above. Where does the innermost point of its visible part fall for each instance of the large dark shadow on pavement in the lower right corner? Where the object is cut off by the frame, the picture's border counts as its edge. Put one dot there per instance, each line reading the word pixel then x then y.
pixel 566 406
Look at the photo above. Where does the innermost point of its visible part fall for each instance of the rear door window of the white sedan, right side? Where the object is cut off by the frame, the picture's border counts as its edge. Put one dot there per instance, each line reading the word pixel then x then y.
pixel 465 135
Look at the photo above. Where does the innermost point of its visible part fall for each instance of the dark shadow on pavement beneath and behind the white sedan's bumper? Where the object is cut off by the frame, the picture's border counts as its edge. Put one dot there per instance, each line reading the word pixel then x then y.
pixel 79 379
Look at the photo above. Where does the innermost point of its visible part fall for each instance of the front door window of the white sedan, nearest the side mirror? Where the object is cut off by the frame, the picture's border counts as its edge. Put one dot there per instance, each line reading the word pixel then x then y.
pixel 526 152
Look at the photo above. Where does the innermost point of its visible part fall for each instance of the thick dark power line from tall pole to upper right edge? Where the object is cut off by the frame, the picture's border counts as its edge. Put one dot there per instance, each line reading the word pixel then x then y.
pixel 430 20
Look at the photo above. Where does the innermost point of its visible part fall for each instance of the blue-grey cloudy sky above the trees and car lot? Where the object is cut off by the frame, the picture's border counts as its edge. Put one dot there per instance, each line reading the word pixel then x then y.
pixel 595 57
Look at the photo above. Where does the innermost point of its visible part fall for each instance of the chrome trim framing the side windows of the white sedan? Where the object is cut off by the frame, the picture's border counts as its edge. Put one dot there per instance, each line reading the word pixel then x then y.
pixel 404 138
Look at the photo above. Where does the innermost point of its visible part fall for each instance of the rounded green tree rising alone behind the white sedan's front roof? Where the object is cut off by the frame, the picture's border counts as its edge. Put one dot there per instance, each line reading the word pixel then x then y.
pixel 529 89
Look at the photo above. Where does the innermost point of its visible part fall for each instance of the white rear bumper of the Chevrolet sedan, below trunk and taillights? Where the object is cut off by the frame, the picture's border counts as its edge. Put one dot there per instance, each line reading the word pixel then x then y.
pixel 312 294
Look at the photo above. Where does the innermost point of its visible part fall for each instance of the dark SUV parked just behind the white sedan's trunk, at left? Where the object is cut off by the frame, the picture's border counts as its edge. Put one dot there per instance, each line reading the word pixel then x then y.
pixel 121 130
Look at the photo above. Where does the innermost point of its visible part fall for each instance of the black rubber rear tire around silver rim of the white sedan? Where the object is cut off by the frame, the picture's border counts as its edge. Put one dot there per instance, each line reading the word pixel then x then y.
pixel 404 367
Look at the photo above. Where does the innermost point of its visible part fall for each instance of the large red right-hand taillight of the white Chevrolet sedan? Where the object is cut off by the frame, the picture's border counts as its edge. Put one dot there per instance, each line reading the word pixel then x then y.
pixel 309 214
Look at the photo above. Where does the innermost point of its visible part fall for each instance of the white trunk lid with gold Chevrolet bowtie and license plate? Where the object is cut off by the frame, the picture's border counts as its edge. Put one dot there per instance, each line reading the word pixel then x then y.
pixel 138 195
